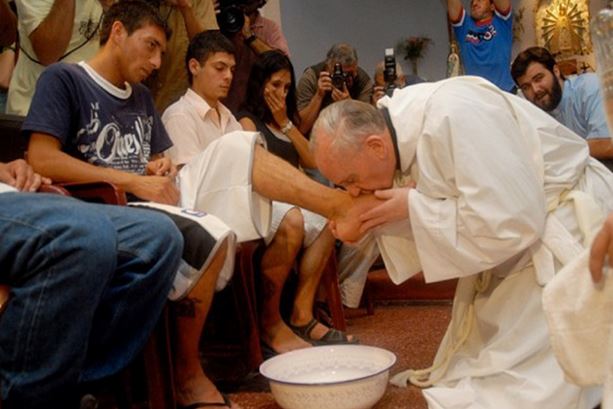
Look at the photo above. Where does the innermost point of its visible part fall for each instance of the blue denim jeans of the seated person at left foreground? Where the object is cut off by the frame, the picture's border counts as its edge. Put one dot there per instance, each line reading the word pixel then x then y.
pixel 88 285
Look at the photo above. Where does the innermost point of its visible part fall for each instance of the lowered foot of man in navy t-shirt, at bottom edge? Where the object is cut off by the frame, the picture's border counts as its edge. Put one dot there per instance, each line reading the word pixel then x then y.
pixel 197 387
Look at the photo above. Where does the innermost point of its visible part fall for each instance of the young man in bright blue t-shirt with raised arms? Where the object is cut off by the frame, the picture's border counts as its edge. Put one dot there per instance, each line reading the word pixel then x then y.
pixel 485 39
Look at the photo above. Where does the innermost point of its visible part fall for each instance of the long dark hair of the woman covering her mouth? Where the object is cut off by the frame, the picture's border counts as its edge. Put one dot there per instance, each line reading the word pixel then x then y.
pixel 267 64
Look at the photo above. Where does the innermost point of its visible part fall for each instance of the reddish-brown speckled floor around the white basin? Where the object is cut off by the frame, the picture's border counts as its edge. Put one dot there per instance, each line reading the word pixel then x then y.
pixel 411 331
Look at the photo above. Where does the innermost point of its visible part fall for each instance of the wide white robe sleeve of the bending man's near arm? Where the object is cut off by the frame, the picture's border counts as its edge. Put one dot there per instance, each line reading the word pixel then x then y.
pixel 479 200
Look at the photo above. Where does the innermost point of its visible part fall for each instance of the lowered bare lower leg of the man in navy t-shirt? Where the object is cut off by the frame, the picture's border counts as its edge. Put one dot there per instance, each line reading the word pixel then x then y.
pixel 192 385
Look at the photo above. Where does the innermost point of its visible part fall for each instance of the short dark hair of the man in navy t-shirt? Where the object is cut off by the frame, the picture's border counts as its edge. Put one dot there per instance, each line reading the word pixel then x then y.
pixel 133 14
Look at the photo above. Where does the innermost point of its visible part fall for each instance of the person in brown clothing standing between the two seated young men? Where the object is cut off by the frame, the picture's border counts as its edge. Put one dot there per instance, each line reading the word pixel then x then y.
pixel 186 18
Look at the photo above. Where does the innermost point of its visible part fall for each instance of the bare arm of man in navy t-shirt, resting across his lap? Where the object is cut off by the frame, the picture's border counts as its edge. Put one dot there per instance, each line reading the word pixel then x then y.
pixel 46 157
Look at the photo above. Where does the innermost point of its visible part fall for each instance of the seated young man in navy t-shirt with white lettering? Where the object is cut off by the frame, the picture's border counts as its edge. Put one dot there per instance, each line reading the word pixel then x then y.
pixel 95 121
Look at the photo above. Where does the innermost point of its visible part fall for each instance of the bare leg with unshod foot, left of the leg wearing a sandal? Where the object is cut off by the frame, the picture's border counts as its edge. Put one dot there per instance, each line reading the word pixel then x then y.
pixel 277 262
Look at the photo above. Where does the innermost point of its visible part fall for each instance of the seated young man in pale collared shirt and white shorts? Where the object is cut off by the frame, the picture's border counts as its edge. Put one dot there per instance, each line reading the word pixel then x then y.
pixel 199 118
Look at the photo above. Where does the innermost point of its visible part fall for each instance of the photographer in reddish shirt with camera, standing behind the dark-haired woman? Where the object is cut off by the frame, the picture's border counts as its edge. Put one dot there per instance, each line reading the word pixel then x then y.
pixel 252 34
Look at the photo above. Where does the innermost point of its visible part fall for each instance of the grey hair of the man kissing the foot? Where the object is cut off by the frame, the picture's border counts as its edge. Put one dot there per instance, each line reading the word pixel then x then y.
pixel 347 123
